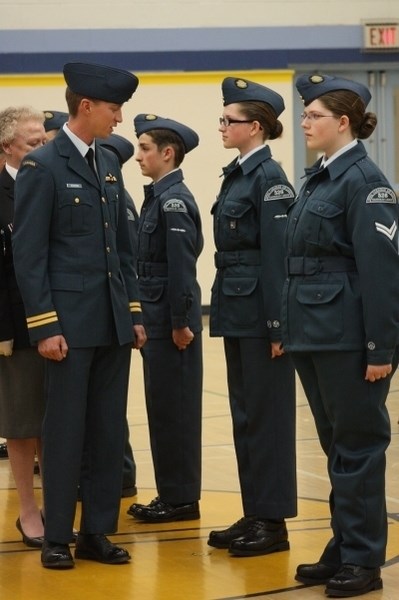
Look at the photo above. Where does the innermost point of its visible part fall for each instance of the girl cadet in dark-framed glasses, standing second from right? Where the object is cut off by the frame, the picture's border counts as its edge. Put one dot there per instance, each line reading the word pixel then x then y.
pixel 249 221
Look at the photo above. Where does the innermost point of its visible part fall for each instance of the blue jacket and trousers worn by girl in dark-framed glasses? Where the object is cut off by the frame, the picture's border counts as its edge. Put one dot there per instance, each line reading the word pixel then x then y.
pixel 249 223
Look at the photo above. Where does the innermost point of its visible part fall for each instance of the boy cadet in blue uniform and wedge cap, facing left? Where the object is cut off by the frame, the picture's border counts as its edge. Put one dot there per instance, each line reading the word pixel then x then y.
pixel 170 241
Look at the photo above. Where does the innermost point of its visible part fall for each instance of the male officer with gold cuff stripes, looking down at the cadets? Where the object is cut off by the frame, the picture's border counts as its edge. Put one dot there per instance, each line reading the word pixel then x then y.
pixel 74 263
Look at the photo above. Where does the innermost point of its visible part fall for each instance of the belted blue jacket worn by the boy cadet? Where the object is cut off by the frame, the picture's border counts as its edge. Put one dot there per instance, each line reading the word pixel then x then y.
pixel 170 241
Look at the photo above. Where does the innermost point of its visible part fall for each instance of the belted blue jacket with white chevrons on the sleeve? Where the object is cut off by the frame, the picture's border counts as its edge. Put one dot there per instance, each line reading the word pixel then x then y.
pixel 342 242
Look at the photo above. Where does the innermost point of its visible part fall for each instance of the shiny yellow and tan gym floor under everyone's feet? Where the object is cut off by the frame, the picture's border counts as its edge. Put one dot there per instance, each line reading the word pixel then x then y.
pixel 173 561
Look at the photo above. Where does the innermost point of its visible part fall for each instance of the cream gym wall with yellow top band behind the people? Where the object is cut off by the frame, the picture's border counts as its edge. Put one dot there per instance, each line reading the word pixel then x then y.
pixel 192 98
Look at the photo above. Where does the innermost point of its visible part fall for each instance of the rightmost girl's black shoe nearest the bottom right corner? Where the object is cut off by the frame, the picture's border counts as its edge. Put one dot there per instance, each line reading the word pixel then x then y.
pixel 352 580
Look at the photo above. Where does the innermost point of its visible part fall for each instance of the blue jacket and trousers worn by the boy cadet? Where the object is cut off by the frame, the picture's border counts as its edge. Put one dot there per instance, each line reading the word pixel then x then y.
pixel 170 241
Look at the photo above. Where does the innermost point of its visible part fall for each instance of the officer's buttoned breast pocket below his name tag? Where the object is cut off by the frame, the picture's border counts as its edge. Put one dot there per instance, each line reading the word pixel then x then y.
pixel 76 212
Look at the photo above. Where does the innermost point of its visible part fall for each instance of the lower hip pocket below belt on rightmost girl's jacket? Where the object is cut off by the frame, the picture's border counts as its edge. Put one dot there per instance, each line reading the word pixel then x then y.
pixel 322 309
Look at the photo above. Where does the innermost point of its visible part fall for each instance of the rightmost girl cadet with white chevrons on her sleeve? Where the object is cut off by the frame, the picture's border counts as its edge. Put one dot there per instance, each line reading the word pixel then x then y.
pixel 341 323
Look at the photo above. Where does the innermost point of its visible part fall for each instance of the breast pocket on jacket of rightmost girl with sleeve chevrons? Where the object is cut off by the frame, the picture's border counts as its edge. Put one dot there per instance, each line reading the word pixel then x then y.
pixel 323 220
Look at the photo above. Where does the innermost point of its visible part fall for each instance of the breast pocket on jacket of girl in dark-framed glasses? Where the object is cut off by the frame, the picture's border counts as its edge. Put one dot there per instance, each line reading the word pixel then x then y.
pixel 238 221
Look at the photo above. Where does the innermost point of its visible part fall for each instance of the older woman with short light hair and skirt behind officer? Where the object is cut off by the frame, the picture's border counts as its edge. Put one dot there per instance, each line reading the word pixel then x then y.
pixel 21 366
